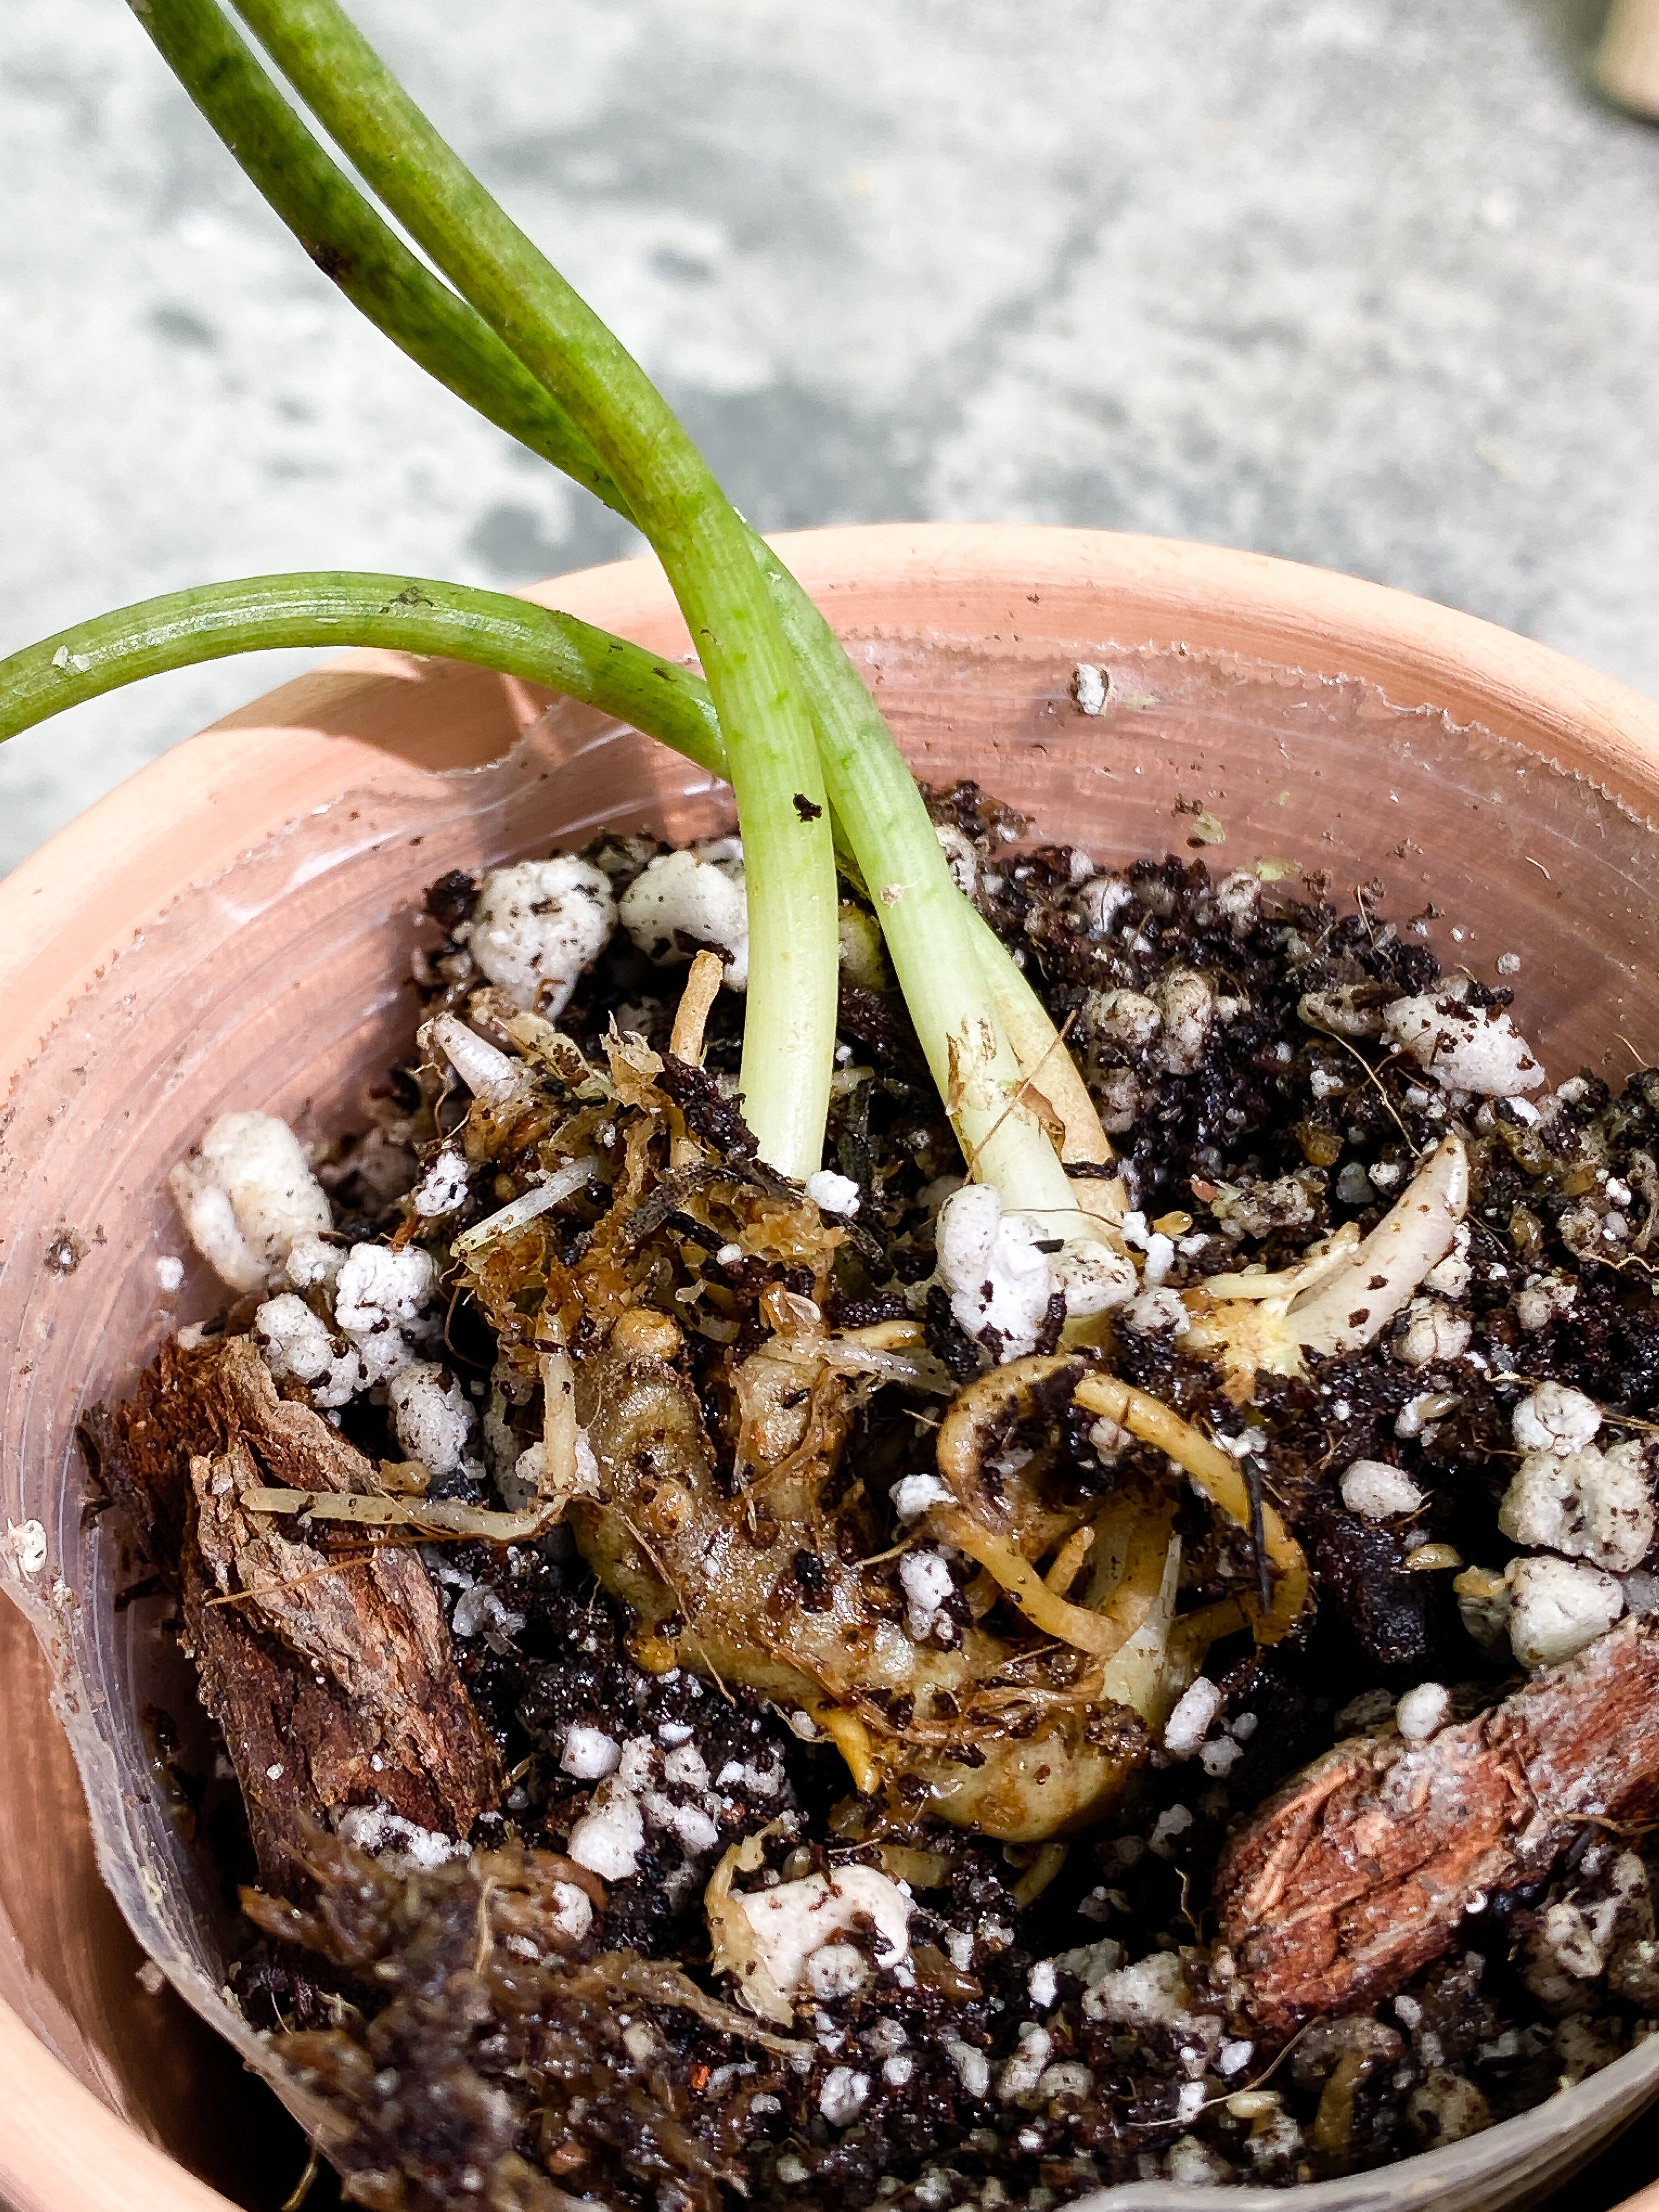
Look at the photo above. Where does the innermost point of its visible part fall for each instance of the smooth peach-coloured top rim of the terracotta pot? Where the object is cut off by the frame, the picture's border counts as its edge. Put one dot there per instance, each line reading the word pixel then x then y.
pixel 65 2149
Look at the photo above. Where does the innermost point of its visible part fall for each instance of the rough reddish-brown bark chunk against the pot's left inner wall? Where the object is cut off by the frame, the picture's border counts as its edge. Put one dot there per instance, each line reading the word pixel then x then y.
pixel 333 1680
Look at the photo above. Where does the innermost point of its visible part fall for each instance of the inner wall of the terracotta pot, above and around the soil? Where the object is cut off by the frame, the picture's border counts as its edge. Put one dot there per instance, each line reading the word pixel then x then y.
pixel 282 985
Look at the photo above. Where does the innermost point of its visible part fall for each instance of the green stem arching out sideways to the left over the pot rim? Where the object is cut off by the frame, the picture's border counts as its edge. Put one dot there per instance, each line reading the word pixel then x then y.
pixel 404 614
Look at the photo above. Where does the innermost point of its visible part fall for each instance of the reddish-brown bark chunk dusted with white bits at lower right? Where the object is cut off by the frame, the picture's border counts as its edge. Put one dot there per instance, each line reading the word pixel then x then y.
pixel 1357 1875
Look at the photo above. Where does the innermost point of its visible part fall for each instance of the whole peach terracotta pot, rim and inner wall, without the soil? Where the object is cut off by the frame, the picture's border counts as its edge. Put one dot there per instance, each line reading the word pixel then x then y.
pixel 231 926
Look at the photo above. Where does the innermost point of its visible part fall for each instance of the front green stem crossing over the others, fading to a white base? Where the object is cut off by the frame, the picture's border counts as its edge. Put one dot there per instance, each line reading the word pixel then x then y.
pixel 700 541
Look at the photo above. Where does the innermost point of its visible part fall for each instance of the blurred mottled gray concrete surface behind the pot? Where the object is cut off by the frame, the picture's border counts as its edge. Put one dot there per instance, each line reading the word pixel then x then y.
pixel 1361 282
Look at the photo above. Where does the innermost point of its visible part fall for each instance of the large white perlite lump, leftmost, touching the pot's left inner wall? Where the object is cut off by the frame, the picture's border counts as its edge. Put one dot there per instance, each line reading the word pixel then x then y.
pixel 247 1196
